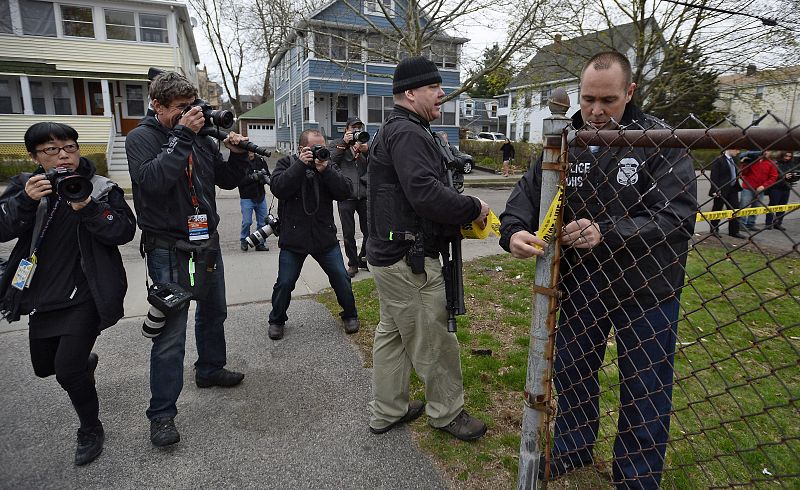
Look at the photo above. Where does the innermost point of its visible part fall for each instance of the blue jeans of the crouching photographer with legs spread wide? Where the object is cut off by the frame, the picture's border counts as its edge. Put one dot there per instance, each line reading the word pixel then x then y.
pixel 289 266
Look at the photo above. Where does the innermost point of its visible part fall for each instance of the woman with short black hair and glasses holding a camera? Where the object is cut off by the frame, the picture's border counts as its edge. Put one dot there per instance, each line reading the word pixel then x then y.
pixel 65 270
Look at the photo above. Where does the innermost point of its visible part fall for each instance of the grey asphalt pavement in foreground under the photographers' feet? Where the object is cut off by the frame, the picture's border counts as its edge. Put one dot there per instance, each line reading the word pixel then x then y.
pixel 299 419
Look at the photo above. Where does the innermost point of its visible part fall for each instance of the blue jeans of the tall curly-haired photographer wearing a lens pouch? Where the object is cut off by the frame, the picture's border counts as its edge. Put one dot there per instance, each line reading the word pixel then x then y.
pixel 169 348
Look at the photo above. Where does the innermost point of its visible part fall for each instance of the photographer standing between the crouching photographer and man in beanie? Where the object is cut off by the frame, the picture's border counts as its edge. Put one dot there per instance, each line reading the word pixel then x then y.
pixel 351 155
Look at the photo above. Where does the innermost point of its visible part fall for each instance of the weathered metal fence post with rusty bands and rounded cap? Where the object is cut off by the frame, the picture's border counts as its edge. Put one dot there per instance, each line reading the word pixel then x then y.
pixel 540 361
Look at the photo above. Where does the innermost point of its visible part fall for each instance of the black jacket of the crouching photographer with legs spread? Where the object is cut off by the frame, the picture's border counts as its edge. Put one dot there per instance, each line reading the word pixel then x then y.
pixel 305 204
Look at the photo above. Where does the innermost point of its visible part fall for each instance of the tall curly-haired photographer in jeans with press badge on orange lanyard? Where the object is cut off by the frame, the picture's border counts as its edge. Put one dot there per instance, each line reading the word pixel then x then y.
pixel 173 171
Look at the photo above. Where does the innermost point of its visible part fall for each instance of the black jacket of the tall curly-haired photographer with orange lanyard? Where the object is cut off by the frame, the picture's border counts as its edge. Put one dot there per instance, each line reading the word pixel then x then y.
pixel 158 160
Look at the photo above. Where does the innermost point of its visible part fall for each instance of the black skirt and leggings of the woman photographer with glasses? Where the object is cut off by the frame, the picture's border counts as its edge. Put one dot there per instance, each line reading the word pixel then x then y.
pixel 66 356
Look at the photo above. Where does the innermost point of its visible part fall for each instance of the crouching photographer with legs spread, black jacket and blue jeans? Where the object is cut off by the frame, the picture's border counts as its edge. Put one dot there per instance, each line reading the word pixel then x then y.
pixel 306 185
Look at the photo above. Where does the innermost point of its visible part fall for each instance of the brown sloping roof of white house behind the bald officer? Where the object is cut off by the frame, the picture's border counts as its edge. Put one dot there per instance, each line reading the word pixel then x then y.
pixel 564 59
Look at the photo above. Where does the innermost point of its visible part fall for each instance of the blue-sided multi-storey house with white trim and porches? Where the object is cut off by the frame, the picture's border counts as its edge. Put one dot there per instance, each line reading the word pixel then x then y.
pixel 338 64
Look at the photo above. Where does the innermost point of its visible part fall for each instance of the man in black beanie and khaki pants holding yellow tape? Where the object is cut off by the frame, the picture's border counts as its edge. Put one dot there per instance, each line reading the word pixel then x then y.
pixel 413 213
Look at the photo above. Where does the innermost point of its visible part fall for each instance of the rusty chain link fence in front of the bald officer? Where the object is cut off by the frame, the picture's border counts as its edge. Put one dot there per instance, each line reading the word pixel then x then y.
pixel 674 339
